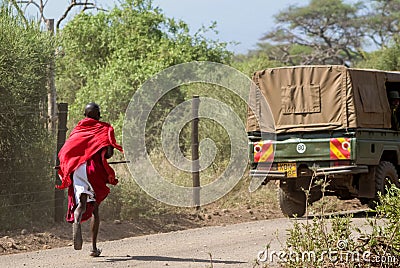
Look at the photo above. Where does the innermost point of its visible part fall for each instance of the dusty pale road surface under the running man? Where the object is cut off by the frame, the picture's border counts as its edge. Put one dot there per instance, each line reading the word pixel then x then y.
pixel 222 246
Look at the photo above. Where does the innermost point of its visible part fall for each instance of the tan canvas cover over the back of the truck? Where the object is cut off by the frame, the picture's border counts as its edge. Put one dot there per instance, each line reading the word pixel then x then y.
pixel 316 98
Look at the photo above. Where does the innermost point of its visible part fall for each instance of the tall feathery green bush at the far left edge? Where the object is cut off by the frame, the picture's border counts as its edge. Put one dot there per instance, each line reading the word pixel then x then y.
pixel 26 187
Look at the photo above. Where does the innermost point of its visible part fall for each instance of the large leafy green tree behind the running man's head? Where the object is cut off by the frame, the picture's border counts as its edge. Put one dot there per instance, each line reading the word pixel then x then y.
pixel 108 55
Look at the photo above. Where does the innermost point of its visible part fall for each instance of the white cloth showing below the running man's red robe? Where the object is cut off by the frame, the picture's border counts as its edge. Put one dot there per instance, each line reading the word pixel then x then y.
pixel 82 184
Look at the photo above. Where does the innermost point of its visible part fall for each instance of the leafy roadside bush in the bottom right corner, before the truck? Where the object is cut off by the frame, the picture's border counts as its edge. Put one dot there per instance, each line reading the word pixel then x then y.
pixel 332 241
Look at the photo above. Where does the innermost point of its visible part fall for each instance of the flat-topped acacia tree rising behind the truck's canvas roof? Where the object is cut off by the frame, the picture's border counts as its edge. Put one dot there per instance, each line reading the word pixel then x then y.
pixel 324 32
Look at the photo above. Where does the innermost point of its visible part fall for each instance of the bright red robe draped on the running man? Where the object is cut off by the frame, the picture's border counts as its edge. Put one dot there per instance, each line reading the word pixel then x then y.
pixel 85 144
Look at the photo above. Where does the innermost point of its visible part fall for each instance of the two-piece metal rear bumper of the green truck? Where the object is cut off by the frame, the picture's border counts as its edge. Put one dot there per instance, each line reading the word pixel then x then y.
pixel 274 174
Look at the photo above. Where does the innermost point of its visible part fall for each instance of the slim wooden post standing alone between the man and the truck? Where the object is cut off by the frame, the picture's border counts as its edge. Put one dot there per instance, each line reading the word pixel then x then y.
pixel 195 152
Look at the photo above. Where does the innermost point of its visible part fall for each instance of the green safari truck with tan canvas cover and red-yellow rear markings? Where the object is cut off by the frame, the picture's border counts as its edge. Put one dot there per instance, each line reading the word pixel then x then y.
pixel 331 123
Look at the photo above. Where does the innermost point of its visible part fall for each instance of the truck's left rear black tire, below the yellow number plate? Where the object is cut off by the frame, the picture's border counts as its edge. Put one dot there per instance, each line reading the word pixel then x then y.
pixel 292 204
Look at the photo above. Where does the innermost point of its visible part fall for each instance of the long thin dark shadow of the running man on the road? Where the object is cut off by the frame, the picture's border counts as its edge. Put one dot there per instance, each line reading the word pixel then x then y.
pixel 166 259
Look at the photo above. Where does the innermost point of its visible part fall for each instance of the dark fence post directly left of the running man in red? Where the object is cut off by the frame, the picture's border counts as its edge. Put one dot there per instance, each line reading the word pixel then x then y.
pixel 61 137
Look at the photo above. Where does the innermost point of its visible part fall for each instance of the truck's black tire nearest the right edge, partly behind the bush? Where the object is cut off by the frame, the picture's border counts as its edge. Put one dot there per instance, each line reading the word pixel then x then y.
pixel 385 172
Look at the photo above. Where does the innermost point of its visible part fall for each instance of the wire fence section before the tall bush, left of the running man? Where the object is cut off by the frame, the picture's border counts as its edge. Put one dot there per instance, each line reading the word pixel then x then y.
pixel 27 159
